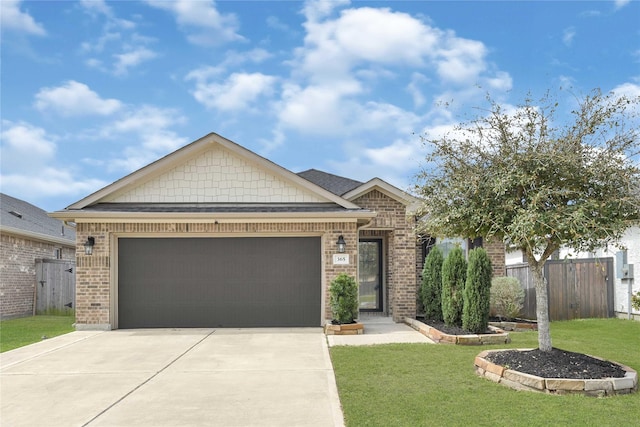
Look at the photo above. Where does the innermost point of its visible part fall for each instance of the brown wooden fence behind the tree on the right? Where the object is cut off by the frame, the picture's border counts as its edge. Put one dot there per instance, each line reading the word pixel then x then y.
pixel 577 288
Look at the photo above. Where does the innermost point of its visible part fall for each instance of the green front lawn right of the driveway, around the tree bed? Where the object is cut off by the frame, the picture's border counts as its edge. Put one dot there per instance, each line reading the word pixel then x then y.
pixel 435 385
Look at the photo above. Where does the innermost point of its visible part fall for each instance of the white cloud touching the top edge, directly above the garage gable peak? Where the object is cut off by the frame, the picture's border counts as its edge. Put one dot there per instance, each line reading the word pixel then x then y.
pixel 202 21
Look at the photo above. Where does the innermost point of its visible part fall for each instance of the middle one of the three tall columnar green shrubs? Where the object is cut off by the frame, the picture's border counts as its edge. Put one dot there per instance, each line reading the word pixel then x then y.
pixel 454 274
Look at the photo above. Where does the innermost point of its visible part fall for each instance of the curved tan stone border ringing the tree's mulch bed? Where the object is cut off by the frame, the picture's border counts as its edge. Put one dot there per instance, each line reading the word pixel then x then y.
pixel 588 387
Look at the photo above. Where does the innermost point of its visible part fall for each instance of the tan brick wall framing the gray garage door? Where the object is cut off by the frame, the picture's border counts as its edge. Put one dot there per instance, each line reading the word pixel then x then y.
pixel 94 281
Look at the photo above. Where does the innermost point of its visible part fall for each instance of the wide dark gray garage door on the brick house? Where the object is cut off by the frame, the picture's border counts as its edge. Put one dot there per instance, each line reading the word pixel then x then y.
pixel 219 282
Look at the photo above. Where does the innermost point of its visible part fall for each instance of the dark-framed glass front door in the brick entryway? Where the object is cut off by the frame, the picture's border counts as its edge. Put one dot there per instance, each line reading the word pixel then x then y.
pixel 370 271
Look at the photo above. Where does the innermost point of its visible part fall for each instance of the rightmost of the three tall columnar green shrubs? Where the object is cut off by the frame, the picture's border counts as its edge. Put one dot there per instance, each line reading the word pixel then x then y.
pixel 477 290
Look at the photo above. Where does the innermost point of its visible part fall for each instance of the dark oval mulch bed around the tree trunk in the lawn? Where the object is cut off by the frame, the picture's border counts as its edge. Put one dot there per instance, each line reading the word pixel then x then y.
pixel 556 364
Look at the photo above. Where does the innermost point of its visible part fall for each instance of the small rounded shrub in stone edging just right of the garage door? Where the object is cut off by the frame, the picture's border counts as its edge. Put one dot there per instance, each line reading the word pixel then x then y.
pixel 344 306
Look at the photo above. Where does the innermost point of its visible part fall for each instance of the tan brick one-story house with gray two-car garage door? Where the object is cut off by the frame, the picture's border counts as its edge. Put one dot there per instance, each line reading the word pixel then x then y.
pixel 214 235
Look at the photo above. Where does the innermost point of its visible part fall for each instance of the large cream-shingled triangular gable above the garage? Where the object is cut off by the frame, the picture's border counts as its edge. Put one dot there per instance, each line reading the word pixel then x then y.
pixel 212 170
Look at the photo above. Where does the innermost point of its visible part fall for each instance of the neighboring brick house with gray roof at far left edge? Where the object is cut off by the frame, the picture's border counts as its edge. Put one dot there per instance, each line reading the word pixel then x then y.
pixel 27 233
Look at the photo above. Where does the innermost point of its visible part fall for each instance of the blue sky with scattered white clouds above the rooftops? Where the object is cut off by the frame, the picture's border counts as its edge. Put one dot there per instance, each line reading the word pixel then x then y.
pixel 93 90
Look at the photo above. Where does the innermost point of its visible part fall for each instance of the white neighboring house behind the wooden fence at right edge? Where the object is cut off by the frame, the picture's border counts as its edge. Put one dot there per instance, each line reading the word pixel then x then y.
pixel 631 241
